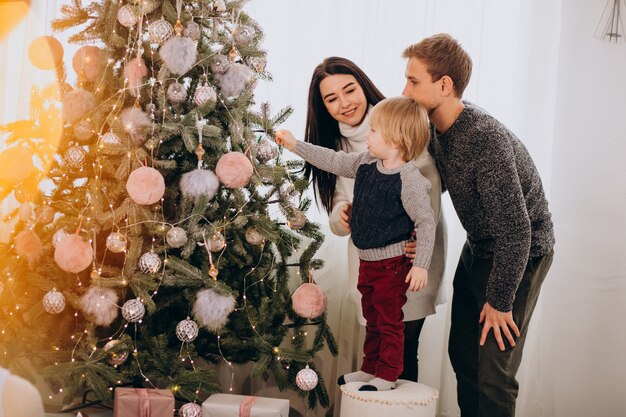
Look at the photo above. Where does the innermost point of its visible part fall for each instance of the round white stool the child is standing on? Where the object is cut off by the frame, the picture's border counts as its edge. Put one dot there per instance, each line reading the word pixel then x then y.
pixel 408 399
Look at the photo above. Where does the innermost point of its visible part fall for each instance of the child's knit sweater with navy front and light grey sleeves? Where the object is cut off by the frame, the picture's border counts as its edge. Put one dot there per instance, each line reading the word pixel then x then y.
pixel 388 204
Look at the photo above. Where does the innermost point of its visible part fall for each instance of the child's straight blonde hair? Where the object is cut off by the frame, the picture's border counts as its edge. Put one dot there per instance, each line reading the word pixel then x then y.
pixel 404 123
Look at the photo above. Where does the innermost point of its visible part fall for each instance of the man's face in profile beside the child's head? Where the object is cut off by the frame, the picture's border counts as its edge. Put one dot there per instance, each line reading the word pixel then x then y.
pixel 420 85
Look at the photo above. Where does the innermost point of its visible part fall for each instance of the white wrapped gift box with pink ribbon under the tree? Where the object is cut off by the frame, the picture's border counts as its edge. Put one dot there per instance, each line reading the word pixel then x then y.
pixel 229 405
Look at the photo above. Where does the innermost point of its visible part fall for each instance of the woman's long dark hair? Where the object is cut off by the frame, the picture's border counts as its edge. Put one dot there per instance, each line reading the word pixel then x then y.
pixel 321 129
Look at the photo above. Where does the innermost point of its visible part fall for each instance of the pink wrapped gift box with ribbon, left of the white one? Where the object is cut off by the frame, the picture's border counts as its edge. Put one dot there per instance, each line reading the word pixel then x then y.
pixel 143 402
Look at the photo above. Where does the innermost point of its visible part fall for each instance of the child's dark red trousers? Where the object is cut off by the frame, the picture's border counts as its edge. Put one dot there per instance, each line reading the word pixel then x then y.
pixel 383 290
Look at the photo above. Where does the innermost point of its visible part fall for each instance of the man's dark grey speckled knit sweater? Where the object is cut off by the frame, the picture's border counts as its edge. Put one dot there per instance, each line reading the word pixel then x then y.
pixel 498 196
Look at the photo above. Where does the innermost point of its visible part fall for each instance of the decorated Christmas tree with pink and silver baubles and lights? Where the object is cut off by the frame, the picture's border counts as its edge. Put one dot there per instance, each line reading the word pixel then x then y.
pixel 158 223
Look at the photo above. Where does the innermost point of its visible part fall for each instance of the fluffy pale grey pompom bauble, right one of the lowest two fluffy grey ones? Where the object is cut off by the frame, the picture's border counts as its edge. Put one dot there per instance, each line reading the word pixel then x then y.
pixel 211 309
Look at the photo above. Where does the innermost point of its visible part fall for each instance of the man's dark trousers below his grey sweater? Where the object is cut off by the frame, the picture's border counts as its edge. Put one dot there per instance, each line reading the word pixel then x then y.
pixel 486 384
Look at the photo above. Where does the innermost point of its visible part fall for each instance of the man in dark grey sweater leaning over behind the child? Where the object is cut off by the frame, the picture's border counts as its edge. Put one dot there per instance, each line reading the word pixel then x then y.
pixel 498 196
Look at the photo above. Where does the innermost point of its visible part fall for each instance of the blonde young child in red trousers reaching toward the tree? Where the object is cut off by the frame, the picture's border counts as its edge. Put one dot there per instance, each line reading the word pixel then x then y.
pixel 391 200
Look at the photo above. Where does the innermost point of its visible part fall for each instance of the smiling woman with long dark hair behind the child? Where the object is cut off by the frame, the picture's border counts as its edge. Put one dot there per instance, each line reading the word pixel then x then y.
pixel 340 98
